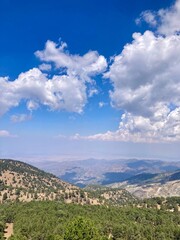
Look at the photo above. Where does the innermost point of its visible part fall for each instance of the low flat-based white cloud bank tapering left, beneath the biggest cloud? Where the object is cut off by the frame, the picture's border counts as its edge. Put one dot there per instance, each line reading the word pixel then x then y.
pixel 141 129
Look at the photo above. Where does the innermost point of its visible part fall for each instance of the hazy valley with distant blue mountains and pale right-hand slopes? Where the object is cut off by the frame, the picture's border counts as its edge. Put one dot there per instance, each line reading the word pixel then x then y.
pixel 142 178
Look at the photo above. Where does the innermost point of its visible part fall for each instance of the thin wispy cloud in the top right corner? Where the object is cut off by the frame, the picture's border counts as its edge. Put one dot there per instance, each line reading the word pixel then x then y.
pixel 166 20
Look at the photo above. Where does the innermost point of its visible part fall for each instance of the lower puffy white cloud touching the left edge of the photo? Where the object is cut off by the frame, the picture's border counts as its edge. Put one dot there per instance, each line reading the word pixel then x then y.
pixel 59 93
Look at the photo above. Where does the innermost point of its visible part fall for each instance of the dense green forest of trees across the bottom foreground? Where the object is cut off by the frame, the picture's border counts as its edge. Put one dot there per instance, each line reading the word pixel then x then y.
pixel 54 220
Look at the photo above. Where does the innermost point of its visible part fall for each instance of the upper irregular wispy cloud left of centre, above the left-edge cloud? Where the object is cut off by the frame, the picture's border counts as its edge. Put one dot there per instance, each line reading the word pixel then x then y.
pixel 85 67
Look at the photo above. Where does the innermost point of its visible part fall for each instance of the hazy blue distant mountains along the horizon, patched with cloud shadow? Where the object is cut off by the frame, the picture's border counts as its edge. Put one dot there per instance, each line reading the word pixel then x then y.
pixel 103 172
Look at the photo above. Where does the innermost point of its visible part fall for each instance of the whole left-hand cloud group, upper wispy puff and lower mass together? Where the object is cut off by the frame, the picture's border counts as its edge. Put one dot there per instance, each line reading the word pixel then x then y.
pixel 67 90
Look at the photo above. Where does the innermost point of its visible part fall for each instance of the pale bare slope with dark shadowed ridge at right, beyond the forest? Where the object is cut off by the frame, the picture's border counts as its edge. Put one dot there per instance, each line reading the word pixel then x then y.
pixel 148 185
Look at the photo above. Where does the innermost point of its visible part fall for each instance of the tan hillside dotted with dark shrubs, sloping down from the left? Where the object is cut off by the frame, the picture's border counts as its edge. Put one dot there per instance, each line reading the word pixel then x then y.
pixel 22 182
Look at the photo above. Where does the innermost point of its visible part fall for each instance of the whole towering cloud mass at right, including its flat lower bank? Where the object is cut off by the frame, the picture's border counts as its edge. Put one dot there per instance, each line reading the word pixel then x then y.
pixel 146 86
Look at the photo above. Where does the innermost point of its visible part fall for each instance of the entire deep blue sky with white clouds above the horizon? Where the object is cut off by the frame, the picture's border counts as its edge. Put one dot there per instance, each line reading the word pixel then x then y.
pixel 89 79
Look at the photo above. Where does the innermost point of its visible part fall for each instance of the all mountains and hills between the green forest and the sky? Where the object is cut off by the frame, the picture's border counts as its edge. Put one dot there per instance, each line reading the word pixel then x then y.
pixel 116 181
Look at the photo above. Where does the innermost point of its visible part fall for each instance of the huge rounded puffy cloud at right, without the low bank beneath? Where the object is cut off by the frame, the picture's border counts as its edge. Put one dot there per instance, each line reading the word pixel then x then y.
pixel 146 73
